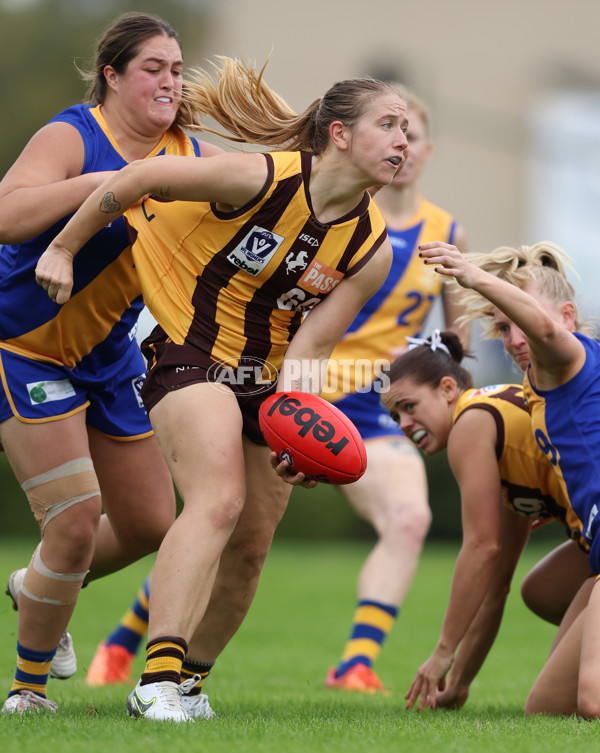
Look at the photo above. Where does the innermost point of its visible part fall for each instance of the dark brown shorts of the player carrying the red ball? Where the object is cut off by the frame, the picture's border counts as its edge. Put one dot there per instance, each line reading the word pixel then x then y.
pixel 174 367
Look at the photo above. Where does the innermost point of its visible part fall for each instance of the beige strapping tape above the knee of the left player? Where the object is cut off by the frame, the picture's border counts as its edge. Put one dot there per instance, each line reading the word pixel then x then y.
pixel 53 492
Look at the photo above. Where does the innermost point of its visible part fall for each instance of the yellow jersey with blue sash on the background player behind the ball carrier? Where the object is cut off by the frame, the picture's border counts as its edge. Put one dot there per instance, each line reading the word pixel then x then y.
pixel 399 308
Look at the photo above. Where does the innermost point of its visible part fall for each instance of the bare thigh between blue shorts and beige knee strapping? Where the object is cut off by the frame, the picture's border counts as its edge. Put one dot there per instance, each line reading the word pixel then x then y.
pixel 34 448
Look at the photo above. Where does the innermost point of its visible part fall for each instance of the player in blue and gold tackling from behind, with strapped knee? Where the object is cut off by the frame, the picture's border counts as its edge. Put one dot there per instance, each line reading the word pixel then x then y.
pixel 71 419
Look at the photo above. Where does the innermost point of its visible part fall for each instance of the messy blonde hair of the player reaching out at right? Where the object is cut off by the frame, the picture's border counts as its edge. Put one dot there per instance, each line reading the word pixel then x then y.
pixel 544 264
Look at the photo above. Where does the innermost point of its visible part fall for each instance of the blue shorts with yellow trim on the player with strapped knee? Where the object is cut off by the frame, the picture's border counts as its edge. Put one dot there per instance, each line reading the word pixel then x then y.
pixel 38 392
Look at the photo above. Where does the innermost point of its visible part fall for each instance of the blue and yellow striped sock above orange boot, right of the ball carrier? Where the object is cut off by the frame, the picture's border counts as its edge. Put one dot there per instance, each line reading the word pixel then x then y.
pixel 372 623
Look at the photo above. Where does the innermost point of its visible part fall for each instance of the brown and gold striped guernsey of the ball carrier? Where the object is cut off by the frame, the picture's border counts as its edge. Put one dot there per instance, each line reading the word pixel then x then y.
pixel 240 283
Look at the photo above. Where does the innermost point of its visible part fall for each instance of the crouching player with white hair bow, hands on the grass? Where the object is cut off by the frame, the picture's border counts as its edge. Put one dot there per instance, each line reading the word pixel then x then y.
pixel 505 481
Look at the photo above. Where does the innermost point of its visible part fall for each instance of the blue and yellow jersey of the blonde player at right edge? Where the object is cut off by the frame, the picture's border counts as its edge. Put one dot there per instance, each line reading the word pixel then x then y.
pixel 566 426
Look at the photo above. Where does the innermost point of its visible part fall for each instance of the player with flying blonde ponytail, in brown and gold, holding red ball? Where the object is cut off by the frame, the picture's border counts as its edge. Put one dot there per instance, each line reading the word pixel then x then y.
pixel 229 272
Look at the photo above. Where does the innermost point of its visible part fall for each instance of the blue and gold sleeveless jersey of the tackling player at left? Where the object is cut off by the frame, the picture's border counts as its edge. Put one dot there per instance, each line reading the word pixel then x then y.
pixel 94 328
